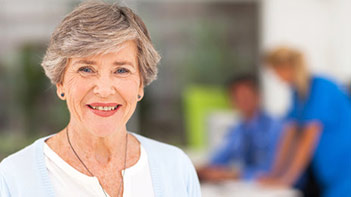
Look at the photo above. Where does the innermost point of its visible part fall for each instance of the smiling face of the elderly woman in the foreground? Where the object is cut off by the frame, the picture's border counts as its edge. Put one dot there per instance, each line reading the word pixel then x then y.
pixel 102 90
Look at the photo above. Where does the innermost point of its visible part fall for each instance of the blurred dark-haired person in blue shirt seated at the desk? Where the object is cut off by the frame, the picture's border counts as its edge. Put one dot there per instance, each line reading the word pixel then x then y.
pixel 251 143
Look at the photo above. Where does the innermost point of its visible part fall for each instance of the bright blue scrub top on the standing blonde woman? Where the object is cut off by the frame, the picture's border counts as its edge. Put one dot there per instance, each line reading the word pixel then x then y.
pixel 328 104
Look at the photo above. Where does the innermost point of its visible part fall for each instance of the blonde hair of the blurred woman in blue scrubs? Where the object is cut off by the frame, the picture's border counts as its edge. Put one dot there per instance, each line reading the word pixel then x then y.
pixel 285 56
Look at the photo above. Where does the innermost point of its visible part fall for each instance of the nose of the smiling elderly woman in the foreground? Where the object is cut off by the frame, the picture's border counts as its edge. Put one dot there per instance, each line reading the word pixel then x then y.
pixel 104 87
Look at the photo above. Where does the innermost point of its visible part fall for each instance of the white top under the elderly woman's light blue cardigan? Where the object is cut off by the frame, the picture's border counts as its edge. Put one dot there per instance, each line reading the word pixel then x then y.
pixel 68 181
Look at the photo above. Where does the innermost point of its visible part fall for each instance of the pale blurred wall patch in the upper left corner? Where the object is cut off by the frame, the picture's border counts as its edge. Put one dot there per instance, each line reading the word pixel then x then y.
pixel 23 21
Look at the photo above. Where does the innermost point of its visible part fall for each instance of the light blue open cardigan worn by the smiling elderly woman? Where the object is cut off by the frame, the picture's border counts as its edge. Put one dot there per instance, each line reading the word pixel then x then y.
pixel 25 174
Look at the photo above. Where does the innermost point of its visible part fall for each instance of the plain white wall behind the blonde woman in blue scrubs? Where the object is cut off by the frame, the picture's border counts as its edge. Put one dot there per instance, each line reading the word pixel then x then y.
pixel 320 28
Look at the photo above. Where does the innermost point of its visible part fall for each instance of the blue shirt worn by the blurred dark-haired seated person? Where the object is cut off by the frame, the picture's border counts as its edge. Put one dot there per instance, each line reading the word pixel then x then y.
pixel 251 144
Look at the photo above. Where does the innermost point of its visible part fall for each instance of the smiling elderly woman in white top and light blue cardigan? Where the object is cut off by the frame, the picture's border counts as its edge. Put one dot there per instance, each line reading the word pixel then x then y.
pixel 100 58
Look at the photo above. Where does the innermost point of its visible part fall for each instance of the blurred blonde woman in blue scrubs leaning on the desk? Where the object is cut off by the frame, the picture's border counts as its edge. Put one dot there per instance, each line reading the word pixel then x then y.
pixel 319 132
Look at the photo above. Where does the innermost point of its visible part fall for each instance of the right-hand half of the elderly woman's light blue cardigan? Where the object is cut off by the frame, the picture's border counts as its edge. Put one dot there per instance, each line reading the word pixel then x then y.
pixel 171 169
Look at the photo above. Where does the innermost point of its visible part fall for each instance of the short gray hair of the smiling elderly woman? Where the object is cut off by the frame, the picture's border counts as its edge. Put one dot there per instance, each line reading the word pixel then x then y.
pixel 96 27
